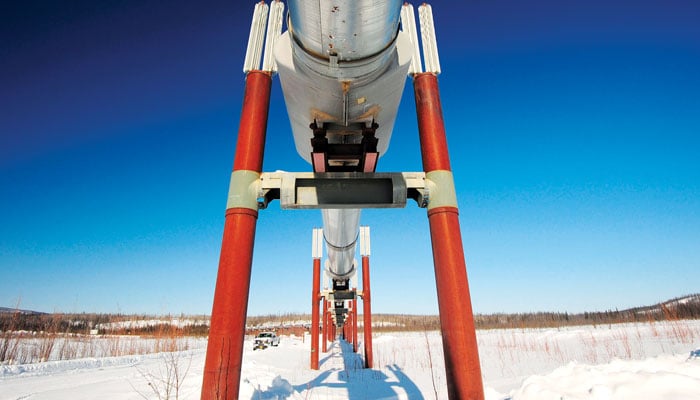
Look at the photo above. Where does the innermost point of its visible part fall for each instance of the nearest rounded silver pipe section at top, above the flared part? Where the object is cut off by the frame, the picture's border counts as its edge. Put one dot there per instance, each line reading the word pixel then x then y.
pixel 347 29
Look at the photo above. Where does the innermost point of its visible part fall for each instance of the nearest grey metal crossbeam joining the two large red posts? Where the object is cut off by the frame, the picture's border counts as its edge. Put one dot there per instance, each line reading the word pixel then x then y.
pixel 309 190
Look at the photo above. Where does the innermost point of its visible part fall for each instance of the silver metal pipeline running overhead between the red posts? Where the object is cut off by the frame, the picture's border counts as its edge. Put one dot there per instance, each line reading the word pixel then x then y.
pixel 342 63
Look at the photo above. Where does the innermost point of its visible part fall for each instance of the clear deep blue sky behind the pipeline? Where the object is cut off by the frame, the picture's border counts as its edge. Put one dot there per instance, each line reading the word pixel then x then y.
pixel 574 129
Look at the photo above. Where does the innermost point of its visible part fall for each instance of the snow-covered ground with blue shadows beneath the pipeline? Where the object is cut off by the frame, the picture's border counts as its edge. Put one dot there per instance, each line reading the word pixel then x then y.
pixel 630 361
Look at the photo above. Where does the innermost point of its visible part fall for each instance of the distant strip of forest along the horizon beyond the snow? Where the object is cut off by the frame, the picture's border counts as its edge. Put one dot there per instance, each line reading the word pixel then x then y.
pixel 687 307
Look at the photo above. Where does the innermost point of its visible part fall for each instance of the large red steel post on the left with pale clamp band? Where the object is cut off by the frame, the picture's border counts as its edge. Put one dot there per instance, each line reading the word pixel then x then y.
pixel 222 368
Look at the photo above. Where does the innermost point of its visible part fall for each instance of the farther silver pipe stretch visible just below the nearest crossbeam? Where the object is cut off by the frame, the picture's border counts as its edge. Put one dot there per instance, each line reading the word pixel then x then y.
pixel 340 234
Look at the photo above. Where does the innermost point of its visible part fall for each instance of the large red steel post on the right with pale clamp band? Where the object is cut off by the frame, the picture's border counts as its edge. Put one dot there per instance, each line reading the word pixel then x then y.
pixel 456 317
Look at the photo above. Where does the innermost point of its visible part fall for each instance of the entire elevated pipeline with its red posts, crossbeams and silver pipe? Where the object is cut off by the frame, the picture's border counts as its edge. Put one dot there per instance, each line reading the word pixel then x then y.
pixel 342 68
